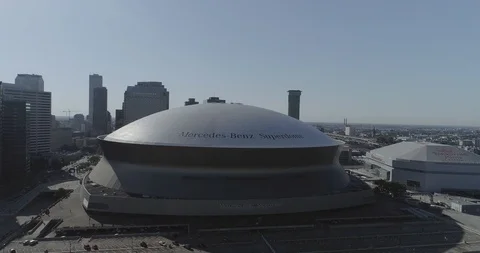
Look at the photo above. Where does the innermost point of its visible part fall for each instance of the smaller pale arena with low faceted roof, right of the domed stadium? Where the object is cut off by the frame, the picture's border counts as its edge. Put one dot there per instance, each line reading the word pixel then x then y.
pixel 426 166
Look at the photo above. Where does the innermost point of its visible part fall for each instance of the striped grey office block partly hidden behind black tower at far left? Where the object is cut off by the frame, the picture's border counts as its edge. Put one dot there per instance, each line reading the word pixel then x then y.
pixel 39 107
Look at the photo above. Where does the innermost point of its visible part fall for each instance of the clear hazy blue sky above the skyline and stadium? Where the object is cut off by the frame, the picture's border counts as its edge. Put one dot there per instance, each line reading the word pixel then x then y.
pixel 370 61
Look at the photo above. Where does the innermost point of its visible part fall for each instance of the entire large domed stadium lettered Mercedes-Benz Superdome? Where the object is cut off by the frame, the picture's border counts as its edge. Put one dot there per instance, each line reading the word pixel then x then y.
pixel 219 159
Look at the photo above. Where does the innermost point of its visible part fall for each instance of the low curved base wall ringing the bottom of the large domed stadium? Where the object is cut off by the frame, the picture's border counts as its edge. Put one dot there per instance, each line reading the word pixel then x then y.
pixel 185 207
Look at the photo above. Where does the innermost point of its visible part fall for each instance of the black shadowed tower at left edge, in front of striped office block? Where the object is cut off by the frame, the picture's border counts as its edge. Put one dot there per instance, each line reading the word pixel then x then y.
pixel 15 158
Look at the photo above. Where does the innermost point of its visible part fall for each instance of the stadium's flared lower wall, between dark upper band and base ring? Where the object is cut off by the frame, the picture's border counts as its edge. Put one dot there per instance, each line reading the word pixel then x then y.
pixel 177 182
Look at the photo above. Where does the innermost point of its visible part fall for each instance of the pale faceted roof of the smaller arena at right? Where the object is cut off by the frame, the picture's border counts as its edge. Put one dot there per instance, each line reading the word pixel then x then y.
pixel 425 152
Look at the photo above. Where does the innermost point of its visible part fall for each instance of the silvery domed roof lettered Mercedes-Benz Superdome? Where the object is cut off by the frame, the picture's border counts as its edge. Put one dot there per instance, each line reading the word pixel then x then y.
pixel 221 125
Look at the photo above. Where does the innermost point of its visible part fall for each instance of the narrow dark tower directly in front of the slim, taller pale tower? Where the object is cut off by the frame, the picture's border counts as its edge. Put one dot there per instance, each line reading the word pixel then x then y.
pixel 99 118
